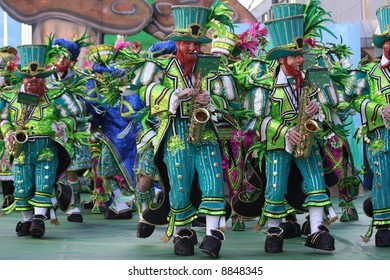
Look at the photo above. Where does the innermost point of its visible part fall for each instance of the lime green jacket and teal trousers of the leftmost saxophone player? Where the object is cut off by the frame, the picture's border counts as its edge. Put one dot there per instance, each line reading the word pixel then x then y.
pixel 43 156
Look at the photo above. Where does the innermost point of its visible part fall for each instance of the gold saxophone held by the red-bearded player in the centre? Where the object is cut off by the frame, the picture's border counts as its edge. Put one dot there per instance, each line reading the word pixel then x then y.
pixel 198 115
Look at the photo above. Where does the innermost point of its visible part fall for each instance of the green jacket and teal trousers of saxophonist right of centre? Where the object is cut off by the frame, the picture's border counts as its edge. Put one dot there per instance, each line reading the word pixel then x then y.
pixel 276 105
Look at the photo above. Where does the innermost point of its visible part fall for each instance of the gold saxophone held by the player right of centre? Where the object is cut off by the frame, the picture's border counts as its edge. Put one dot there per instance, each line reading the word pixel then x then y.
pixel 306 127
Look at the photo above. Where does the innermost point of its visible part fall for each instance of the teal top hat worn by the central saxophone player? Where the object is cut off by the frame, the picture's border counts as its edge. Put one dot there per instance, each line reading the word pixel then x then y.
pixel 189 24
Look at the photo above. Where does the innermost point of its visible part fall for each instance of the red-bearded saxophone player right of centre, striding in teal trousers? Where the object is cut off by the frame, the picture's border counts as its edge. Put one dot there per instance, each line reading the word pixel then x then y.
pixel 277 107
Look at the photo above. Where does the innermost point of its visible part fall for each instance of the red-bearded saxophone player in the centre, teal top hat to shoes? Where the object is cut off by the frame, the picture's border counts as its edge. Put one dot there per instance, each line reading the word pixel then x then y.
pixel 169 90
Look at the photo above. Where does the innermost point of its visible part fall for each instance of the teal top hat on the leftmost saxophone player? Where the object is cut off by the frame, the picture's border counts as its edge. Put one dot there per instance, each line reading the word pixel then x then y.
pixel 32 61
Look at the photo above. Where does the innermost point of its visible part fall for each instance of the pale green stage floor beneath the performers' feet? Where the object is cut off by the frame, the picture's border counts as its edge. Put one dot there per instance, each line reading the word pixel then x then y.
pixel 100 239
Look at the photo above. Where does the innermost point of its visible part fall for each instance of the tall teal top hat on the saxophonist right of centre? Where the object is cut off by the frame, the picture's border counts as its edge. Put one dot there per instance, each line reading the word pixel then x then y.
pixel 286 31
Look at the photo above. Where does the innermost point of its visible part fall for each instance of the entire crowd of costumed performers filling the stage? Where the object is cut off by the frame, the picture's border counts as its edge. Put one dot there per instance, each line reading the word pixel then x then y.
pixel 198 129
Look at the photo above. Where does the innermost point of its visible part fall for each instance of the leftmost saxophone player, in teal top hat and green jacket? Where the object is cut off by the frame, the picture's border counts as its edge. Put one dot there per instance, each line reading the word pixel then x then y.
pixel 44 117
